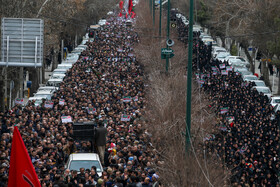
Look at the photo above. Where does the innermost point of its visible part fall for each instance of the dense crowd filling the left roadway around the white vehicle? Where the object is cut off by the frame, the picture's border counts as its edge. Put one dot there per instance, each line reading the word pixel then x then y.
pixel 105 86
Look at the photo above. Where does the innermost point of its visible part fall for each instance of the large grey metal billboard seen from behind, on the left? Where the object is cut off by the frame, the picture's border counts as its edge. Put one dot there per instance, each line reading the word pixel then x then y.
pixel 22 42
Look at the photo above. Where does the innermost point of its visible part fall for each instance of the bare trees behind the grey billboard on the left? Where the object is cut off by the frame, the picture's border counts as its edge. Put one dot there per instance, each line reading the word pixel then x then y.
pixel 63 20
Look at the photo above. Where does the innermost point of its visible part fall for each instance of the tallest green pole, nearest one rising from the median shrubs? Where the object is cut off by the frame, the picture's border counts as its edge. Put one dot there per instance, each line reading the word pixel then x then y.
pixel 189 81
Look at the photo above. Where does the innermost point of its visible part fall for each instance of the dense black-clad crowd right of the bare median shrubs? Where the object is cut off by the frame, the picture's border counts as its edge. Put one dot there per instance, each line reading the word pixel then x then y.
pixel 248 129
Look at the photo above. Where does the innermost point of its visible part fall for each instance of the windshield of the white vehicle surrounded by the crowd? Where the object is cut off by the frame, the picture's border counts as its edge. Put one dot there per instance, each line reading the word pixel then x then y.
pixel 87 164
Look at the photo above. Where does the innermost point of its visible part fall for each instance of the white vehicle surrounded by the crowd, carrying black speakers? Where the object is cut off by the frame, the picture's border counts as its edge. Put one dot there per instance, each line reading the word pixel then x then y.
pixel 84 160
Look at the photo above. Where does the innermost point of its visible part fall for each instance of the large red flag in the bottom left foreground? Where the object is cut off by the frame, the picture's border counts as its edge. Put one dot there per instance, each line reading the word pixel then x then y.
pixel 21 172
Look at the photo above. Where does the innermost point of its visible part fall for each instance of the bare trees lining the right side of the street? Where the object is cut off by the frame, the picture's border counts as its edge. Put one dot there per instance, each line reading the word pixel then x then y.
pixel 248 22
